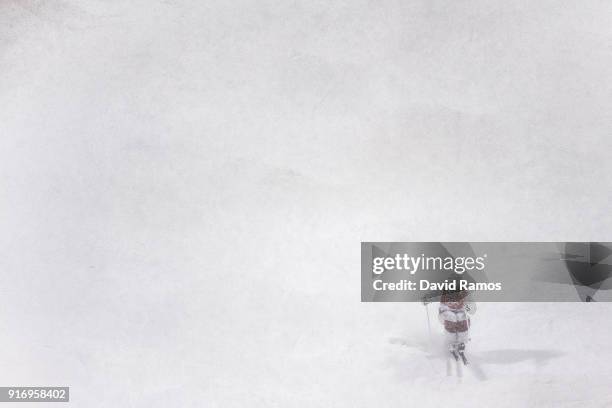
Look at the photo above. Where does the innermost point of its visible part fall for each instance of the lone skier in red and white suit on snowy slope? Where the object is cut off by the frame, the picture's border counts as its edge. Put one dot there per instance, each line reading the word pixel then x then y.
pixel 454 313
